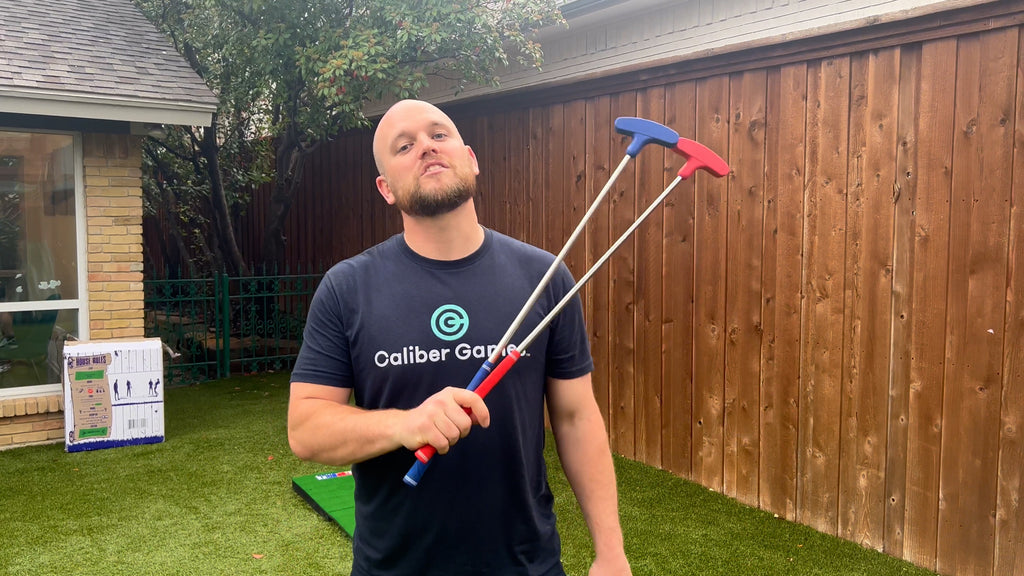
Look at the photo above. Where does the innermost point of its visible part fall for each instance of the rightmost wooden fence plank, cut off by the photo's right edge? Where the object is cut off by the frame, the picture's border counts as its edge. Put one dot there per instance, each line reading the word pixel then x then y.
pixel 1010 509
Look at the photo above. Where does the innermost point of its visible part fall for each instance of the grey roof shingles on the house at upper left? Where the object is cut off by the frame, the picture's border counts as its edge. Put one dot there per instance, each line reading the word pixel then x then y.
pixel 95 48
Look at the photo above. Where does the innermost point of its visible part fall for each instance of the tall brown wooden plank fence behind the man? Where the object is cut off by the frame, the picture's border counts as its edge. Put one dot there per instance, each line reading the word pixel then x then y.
pixel 836 332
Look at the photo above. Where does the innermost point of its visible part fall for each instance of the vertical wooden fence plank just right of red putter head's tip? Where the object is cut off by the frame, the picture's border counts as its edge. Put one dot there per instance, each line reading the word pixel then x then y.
pixel 745 235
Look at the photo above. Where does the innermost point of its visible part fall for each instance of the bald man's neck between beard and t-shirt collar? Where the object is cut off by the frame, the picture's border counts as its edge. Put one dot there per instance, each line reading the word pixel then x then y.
pixel 449 237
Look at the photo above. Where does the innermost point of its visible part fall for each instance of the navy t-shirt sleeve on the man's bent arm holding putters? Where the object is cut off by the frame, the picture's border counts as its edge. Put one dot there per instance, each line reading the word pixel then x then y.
pixel 325 357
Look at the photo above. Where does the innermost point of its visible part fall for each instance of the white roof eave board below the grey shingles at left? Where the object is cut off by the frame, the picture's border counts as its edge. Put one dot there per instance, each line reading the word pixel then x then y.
pixel 69 105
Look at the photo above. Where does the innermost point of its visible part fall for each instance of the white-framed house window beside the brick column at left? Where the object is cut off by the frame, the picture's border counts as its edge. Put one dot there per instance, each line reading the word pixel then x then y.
pixel 42 258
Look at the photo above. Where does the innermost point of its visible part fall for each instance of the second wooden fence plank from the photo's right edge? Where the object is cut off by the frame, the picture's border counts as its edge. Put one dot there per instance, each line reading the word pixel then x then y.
pixel 980 225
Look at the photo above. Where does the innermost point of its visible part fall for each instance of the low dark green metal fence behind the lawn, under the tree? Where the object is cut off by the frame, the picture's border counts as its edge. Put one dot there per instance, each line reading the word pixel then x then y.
pixel 225 325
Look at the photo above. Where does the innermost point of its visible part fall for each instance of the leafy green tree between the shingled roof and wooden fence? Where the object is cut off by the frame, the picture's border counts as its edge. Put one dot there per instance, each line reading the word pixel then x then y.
pixel 293 73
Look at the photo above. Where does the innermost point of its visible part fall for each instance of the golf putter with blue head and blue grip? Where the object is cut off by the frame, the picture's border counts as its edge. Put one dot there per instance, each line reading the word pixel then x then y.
pixel 643 133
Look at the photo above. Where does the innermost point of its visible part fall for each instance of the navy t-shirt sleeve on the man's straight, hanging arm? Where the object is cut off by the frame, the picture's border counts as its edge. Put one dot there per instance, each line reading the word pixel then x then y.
pixel 569 350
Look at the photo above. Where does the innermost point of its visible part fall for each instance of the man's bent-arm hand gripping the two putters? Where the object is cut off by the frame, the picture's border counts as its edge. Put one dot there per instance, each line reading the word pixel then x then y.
pixel 443 420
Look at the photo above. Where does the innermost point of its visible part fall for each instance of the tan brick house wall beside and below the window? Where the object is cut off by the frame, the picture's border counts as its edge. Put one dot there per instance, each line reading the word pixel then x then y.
pixel 114 228
